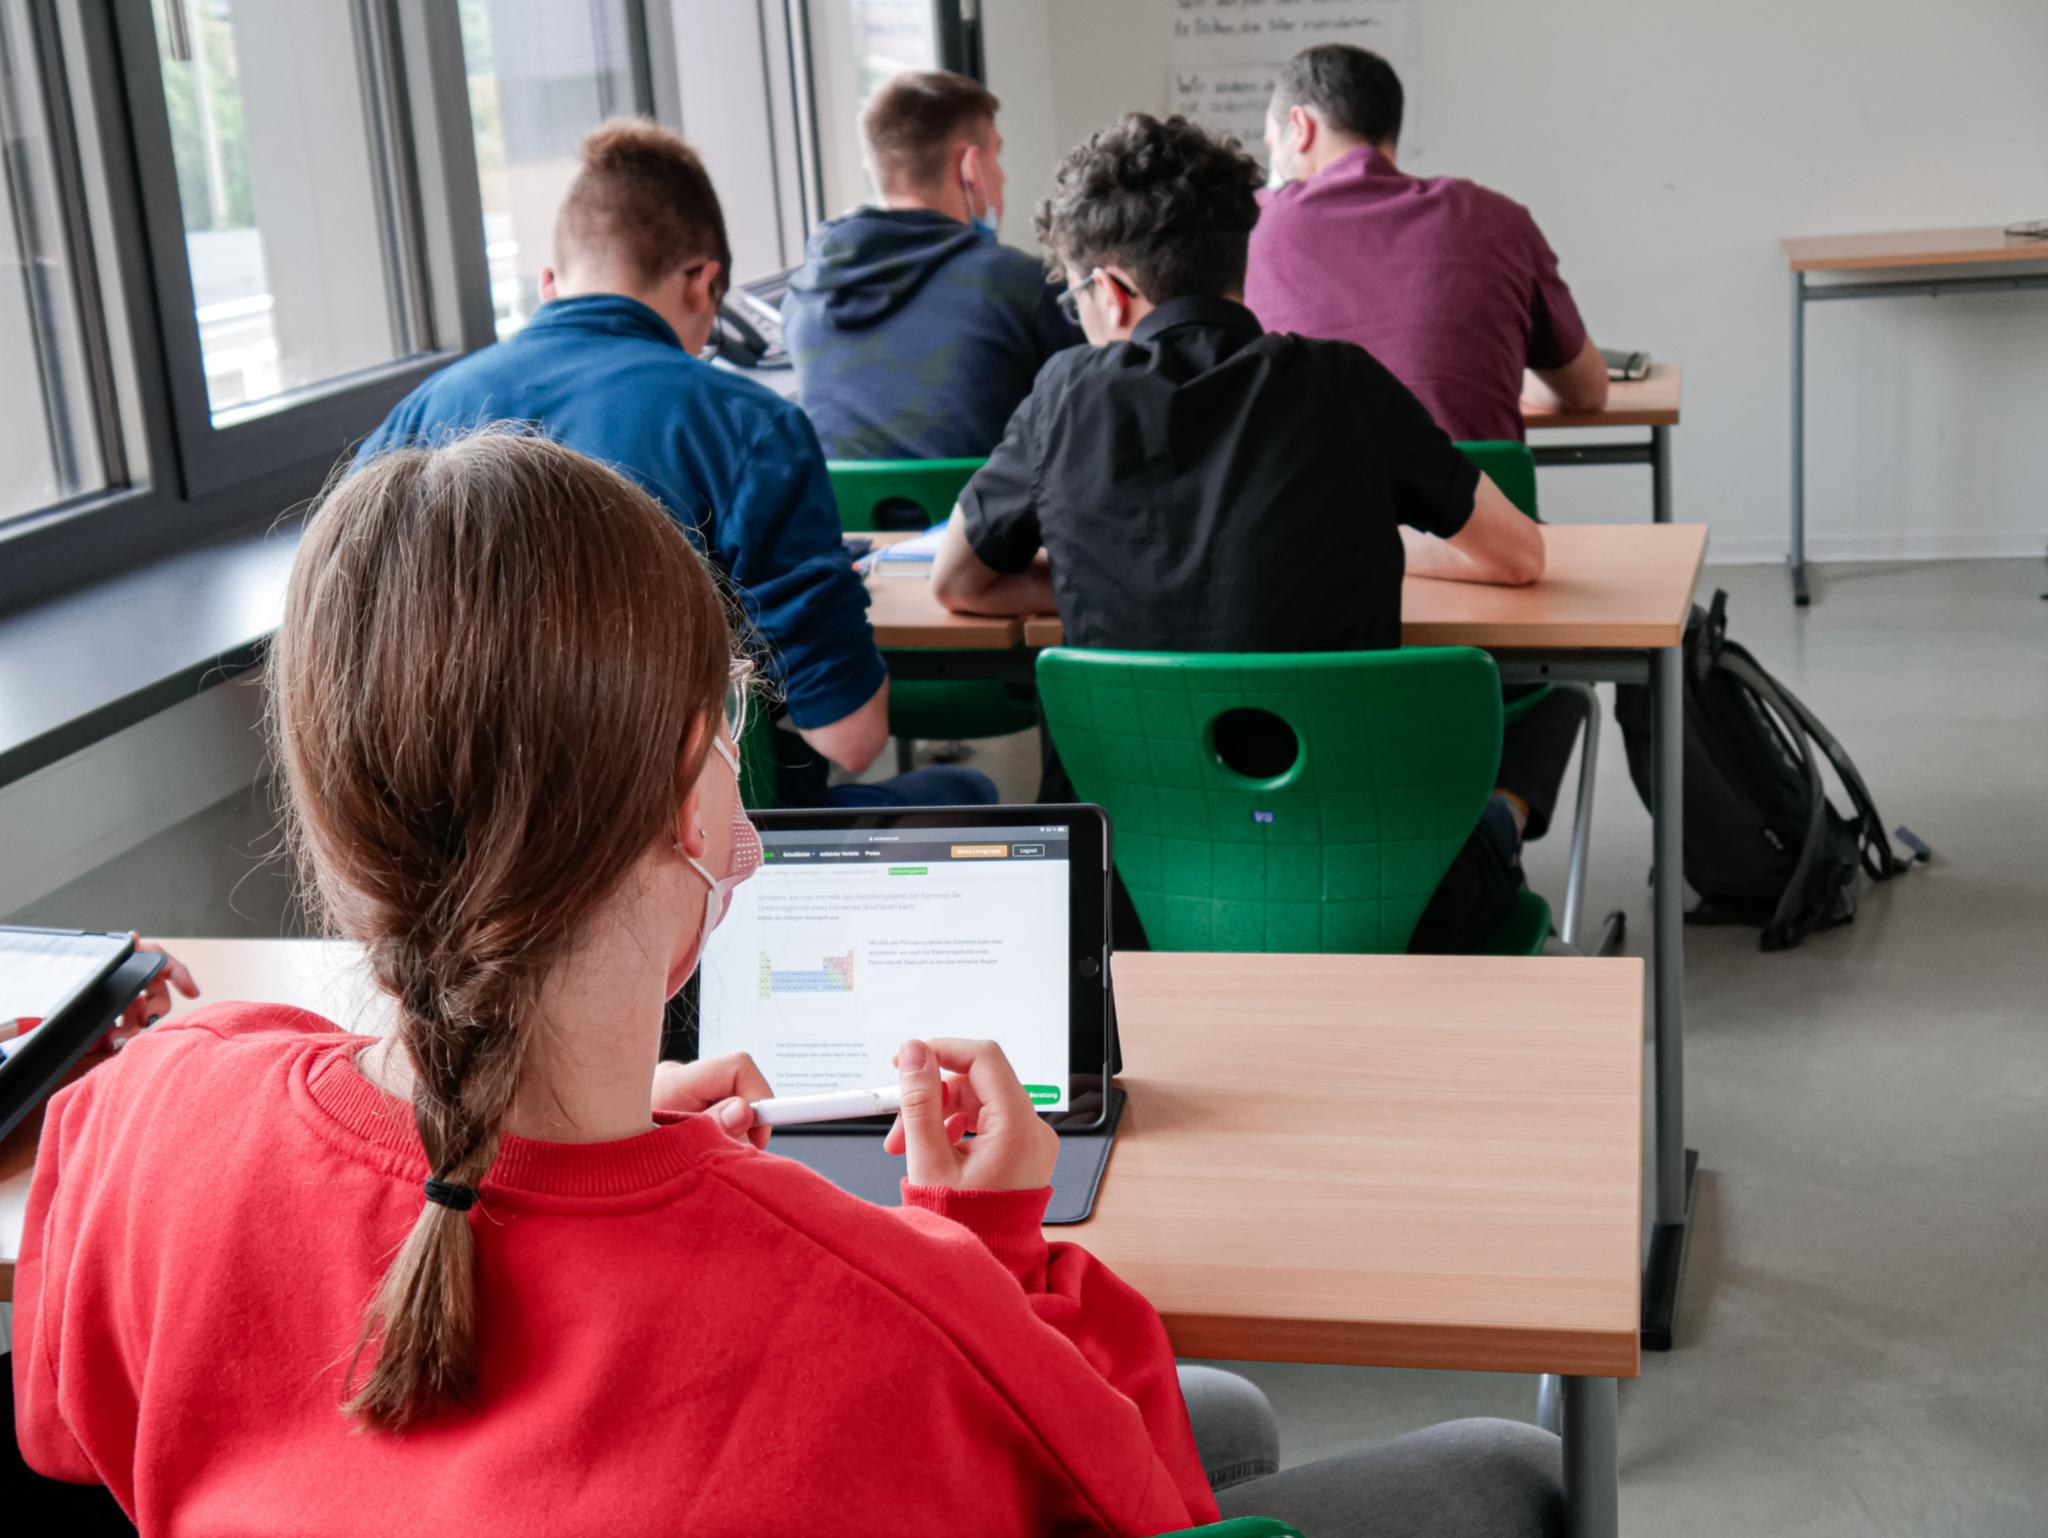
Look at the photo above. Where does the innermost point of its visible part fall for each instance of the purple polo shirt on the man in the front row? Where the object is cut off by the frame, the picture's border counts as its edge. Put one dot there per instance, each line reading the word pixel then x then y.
pixel 1449 286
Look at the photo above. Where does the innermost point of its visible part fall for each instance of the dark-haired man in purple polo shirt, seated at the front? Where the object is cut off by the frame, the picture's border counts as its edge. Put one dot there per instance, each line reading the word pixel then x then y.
pixel 1449 286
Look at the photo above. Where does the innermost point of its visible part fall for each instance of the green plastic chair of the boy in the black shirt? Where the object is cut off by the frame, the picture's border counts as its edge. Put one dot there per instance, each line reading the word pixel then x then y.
pixel 1336 851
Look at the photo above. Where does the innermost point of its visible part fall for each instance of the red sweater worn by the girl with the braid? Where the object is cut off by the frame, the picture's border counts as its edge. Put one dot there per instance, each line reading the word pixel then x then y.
pixel 679 1334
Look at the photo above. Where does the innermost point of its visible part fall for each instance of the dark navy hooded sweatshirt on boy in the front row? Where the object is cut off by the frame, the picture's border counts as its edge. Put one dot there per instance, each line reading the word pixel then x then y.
pixel 914 337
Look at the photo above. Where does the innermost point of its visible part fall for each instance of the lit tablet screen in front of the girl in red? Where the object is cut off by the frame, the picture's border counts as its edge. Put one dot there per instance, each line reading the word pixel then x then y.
pixel 851 939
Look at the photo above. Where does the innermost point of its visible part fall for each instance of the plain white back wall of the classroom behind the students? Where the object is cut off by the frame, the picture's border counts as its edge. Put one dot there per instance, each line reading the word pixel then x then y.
pixel 1668 146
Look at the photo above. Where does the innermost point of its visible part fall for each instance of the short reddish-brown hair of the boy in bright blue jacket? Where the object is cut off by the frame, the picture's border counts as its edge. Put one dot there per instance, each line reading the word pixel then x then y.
pixel 646 200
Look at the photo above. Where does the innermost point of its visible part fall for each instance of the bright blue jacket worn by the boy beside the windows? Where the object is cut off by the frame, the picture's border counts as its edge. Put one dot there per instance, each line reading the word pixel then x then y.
pixel 736 466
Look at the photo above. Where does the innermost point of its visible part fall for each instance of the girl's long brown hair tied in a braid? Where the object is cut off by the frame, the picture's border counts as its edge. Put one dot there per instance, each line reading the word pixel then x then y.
pixel 490 695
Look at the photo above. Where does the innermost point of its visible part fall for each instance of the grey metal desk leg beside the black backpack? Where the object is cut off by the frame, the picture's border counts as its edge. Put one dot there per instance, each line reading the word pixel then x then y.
pixel 1676 1168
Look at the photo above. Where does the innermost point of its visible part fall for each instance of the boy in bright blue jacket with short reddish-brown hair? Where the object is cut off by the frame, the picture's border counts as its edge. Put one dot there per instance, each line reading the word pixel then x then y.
pixel 609 368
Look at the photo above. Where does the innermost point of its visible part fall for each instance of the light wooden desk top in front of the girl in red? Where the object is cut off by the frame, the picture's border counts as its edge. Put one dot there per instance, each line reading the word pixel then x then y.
pixel 1455 1181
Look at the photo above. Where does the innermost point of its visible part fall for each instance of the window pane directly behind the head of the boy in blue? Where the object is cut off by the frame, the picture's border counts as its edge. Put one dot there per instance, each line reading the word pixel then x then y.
pixel 542 75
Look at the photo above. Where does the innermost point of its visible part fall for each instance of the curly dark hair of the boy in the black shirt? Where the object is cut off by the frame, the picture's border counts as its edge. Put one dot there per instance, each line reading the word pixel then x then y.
pixel 1168 202
